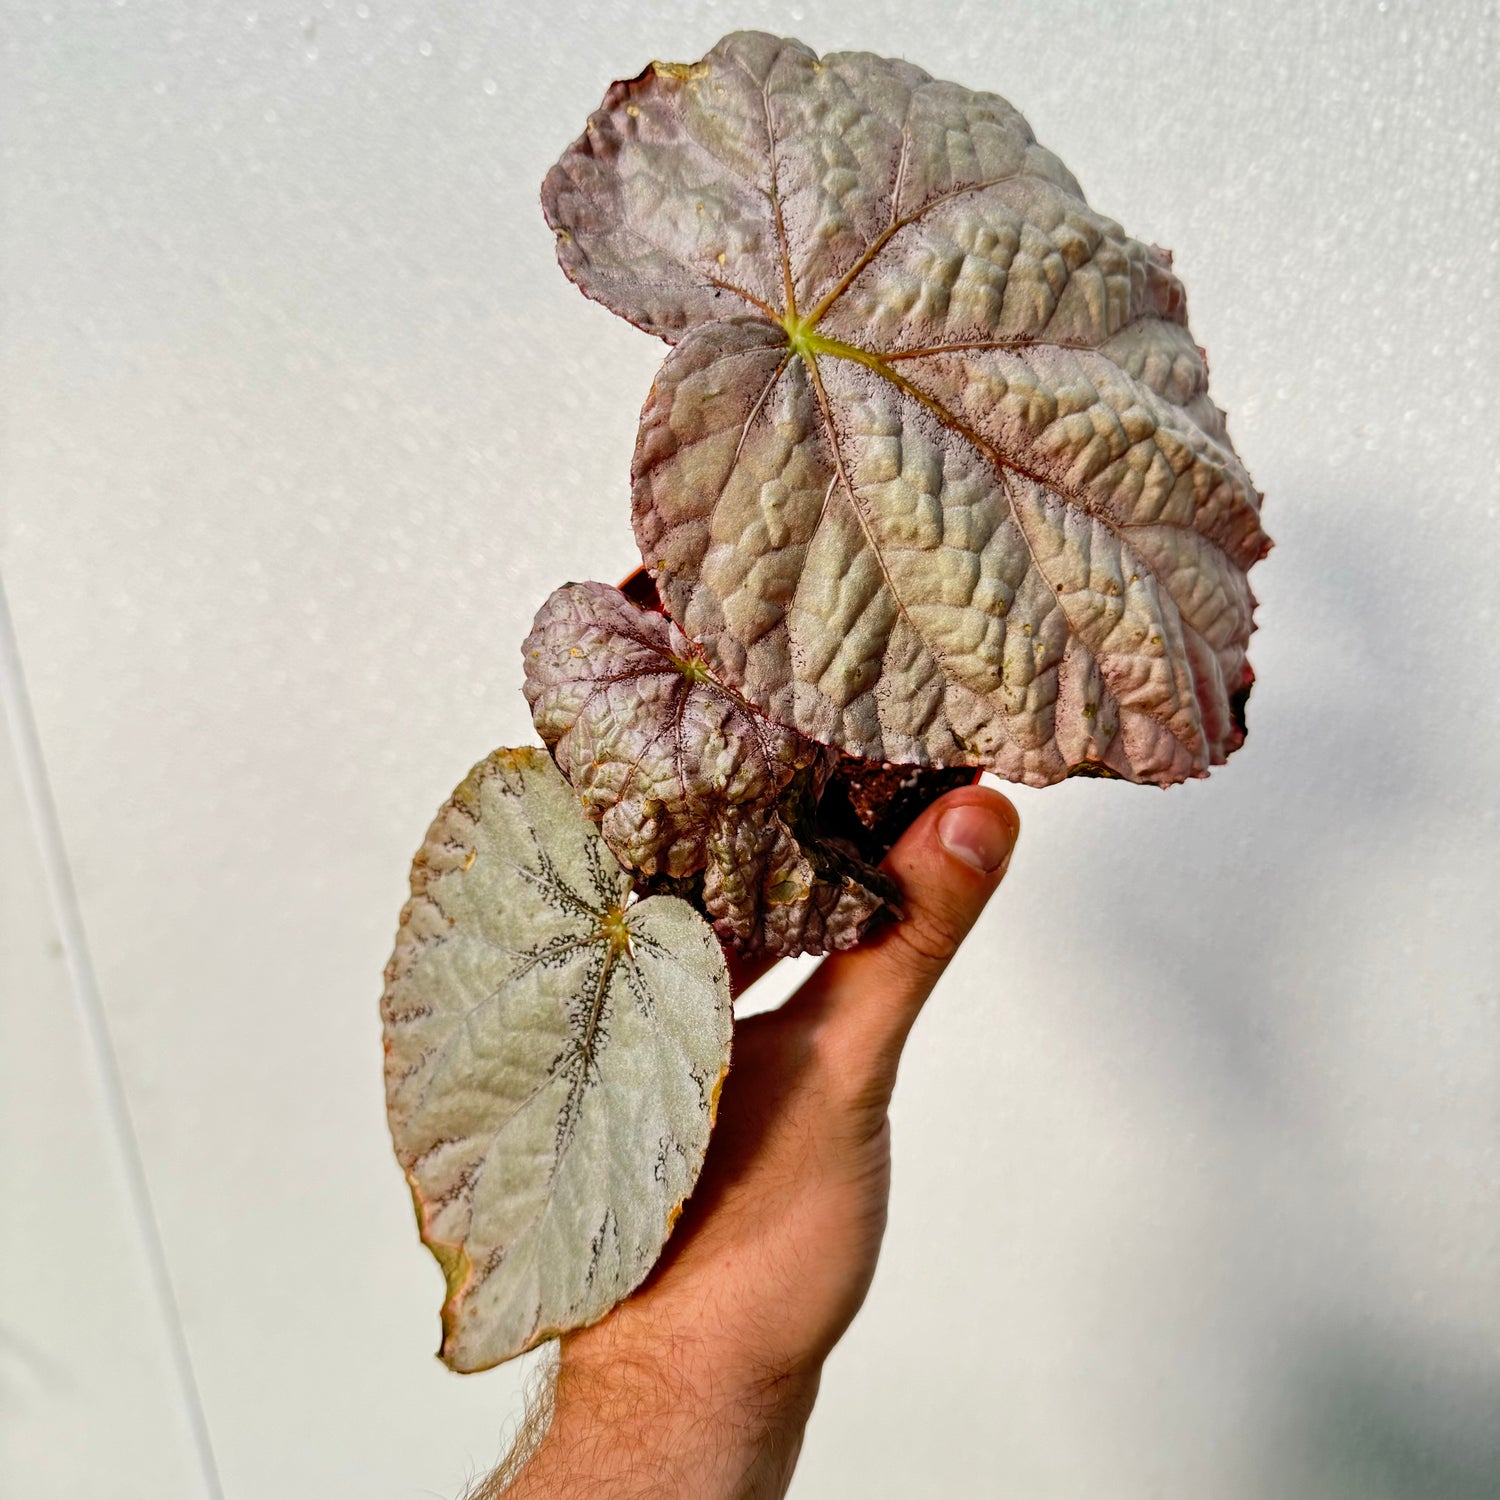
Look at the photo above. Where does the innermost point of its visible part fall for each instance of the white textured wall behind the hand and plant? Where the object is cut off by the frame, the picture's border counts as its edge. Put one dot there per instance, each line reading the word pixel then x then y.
pixel 1198 1151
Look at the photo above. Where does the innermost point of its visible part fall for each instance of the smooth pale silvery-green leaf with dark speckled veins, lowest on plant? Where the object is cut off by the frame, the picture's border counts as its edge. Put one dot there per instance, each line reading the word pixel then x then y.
pixel 554 1058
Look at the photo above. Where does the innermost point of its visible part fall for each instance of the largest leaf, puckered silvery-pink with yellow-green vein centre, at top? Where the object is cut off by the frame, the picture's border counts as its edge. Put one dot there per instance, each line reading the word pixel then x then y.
pixel 932 472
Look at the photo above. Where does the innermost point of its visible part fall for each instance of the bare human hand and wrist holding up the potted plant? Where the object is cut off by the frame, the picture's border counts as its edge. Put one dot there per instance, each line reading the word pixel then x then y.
pixel 700 1385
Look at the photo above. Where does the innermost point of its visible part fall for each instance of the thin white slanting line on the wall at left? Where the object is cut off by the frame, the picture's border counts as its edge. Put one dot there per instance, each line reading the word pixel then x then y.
pixel 16 707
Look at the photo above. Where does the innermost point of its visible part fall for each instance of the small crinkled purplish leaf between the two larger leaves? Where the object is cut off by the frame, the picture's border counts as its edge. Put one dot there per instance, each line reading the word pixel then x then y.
pixel 686 778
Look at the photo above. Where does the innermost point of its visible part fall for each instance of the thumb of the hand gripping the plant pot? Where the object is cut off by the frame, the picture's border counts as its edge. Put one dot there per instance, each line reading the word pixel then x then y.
pixel 865 1001
